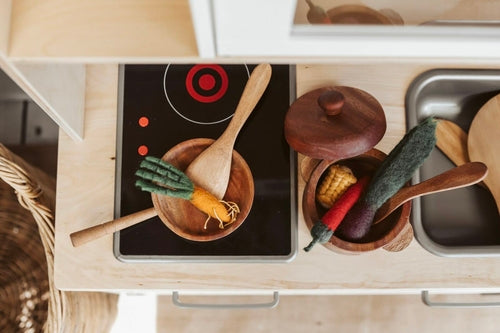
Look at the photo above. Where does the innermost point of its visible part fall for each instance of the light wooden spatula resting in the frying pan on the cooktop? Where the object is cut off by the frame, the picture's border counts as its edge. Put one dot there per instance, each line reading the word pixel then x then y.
pixel 211 169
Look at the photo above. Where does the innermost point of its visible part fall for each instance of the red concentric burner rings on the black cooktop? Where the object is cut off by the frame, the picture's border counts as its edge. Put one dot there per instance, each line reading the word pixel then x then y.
pixel 207 83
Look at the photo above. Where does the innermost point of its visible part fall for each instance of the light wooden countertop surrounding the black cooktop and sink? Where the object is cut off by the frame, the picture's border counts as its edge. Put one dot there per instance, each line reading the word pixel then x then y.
pixel 85 189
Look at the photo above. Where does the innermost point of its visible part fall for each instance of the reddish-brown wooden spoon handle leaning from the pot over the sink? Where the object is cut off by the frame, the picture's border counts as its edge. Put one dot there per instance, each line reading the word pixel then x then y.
pixel 461 176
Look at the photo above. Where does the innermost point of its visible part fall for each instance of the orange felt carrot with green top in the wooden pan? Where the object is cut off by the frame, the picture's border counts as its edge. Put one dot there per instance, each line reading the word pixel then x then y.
pixel 160 177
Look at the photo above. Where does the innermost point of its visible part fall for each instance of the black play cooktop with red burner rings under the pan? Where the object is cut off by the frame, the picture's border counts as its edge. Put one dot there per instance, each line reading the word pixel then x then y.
pixel 163 105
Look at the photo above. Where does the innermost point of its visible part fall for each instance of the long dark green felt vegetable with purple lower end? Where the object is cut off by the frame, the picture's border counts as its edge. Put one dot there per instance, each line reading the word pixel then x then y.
pixel 397 168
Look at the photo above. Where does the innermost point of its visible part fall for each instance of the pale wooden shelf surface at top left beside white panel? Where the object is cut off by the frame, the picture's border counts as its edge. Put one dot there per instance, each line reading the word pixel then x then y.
pixel 102 29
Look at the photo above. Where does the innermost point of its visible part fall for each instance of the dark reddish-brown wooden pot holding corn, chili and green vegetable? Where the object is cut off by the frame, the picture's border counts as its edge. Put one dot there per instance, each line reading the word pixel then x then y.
pixel 381 234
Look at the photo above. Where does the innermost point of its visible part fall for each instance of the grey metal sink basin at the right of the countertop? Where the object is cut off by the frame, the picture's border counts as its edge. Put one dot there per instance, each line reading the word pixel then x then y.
pixel 462 222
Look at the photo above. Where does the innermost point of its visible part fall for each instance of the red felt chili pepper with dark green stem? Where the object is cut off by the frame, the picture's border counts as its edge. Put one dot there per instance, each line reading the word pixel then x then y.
pixel 323 229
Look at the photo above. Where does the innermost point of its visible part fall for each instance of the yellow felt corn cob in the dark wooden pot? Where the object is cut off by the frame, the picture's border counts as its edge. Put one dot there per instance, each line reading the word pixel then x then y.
pixel 337 180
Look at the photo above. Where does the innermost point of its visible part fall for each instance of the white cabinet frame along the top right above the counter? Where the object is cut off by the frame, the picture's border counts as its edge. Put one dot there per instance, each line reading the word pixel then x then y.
pixel 263 28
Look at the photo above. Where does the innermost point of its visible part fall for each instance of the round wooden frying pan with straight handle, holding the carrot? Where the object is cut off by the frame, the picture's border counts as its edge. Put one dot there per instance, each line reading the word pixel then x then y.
pixel 173 211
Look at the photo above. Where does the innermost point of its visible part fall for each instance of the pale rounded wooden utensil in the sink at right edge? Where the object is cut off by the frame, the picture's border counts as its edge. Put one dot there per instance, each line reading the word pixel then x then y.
pixel 483 143
